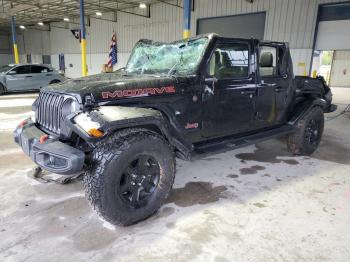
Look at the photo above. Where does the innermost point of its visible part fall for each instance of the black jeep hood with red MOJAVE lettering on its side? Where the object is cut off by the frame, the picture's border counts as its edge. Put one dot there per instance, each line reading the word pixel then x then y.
pixel 112 86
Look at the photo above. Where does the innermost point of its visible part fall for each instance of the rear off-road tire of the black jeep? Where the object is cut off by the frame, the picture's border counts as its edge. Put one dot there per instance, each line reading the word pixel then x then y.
pixel 297 142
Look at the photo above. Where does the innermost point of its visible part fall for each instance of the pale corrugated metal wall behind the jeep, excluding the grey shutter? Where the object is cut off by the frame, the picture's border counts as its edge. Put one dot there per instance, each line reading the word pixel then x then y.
pixel 292 21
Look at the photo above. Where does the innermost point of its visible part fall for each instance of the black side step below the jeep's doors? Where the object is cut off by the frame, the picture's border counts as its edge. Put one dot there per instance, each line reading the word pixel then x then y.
pixel 233 143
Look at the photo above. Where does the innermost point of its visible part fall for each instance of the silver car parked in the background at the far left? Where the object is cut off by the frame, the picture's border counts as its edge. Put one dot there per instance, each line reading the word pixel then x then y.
pixel 25 77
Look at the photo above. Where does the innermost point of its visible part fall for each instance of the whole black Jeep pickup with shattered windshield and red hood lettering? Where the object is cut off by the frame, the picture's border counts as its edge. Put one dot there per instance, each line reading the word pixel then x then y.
pixel 124 129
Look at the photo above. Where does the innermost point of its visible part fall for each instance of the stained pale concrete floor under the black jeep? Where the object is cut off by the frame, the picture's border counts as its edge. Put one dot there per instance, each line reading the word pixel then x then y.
pixel 252 204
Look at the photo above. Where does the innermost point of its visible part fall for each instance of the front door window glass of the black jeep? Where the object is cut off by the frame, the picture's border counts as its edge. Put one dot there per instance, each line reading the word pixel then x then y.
pixel 230 61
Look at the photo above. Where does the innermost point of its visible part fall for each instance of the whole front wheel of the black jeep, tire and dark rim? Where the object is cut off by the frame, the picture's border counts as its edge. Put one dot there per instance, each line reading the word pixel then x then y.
pixel 130 177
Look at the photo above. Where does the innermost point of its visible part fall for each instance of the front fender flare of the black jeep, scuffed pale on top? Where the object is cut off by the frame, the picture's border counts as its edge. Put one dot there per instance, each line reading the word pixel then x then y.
pixel 114 118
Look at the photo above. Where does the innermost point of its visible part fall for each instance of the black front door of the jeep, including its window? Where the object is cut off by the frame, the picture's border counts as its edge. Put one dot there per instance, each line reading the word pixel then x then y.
pixel 229 90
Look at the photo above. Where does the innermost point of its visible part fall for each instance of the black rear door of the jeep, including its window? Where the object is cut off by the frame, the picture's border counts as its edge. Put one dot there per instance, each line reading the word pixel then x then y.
pixel 274 85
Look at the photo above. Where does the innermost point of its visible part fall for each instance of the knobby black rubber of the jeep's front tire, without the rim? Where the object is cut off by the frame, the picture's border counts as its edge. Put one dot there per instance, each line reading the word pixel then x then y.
pixel 110 158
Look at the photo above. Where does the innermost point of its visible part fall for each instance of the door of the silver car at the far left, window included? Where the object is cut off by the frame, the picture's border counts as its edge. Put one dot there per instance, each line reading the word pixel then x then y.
pixel 19 78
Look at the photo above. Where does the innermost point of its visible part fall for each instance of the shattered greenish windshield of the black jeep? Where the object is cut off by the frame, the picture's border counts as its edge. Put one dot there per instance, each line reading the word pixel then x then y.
pixel 180 58
